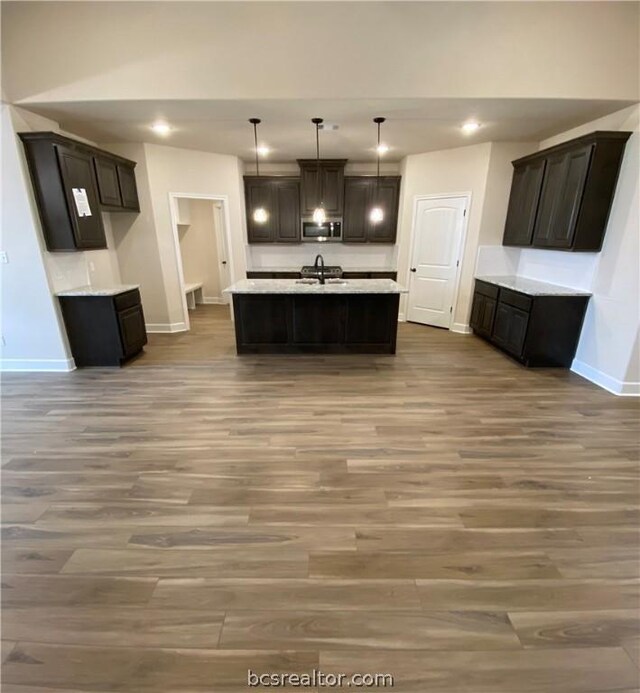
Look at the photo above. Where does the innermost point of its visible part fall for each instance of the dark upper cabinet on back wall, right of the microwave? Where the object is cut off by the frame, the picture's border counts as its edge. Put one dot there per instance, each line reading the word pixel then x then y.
pixel 362 193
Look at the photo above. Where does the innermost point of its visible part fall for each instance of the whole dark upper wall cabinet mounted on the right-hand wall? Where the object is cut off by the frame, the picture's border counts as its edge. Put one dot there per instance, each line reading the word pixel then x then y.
pixel 561 197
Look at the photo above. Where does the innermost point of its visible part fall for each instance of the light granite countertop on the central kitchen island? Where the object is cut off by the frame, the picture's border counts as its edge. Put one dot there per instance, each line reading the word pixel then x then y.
pixel 291 286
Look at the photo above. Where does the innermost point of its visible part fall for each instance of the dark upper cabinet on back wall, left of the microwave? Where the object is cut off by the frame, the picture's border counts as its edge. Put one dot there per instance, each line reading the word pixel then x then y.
pixel 280 197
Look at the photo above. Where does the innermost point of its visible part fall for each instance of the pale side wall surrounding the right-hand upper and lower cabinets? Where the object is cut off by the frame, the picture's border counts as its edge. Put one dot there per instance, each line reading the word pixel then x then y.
pixel 608 348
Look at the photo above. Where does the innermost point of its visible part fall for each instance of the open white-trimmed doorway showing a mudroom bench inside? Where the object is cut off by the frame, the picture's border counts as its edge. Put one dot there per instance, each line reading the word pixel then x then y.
pixel 203 249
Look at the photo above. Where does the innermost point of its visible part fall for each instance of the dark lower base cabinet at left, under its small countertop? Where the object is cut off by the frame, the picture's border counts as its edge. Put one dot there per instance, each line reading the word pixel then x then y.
pixel 104 330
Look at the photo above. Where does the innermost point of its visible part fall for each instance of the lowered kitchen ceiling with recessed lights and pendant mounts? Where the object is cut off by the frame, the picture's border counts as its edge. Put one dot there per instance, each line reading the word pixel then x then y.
pixel 413 126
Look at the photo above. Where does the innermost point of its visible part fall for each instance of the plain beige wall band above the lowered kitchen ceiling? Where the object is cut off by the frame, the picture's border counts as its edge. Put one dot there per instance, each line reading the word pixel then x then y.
pixel 83 51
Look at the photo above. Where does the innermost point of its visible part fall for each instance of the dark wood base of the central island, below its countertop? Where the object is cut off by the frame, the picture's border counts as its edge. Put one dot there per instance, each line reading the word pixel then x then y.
pixel 316 324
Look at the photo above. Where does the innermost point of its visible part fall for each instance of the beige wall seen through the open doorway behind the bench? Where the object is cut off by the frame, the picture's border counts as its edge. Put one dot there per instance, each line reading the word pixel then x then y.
pixel 198 247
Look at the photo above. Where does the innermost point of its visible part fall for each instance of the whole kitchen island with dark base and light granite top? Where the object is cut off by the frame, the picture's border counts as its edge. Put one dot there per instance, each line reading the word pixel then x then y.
pixel 289 316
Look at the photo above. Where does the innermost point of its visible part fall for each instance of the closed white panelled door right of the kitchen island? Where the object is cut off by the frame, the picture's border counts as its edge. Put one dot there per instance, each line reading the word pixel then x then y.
pixel 437 240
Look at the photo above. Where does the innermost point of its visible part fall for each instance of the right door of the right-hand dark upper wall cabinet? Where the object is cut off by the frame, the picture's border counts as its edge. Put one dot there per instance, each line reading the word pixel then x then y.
pixel 562 192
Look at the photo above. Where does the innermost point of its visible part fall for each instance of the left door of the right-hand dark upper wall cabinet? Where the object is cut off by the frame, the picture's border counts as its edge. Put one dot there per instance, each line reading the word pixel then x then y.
pixel 523 203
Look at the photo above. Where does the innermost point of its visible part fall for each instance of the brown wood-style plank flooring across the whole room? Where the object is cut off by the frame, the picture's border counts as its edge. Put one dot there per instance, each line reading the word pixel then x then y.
pixel 445 516
